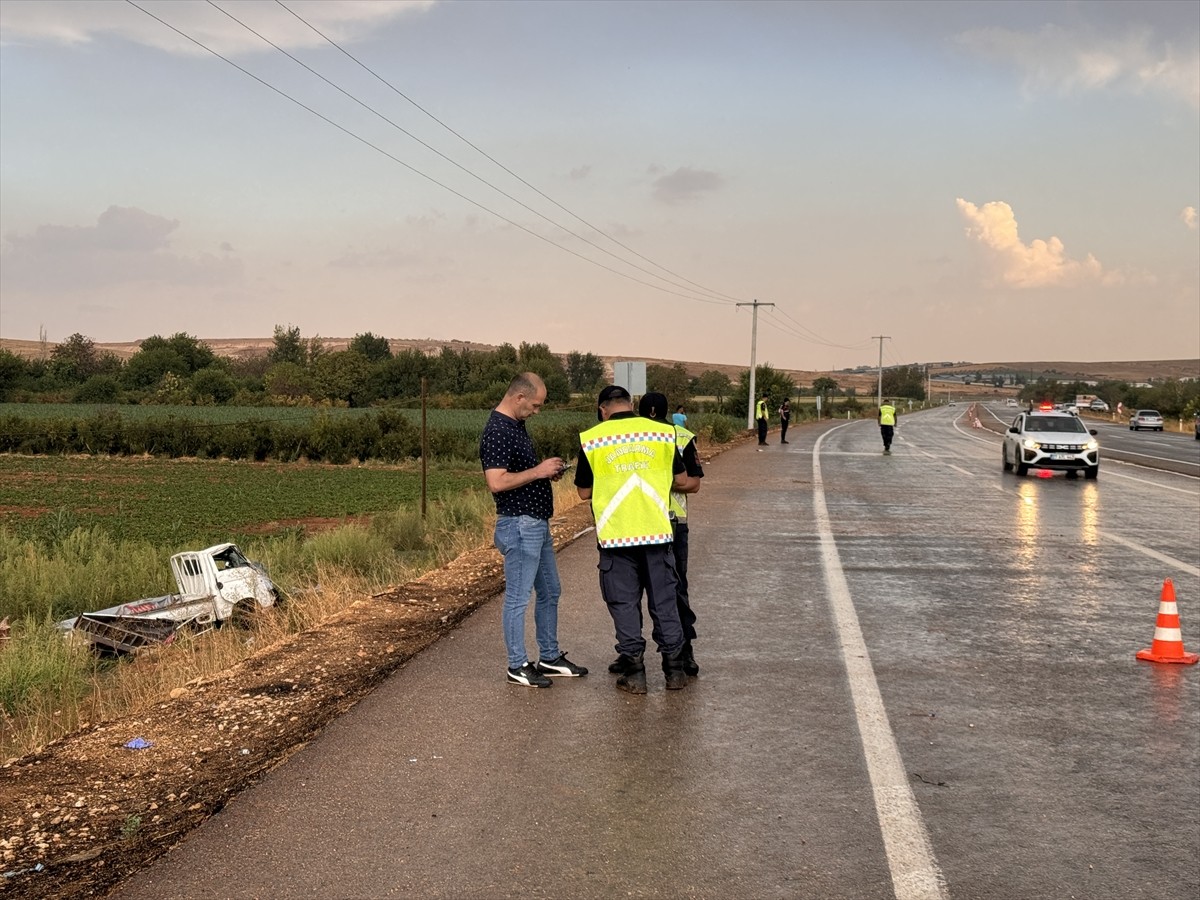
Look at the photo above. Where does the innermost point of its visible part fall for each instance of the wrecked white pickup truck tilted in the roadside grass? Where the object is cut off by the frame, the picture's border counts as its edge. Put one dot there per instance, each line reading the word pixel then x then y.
pixel 215 585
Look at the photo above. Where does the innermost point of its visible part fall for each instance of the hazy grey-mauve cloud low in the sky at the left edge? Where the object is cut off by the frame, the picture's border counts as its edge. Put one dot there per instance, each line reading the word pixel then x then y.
pixel 127 245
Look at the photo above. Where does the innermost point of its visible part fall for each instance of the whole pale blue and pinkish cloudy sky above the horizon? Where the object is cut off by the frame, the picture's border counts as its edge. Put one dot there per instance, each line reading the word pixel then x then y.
pixel 976 182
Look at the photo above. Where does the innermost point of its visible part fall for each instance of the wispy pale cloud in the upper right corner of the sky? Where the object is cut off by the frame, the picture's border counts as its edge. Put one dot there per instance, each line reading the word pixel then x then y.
pixel 1058 59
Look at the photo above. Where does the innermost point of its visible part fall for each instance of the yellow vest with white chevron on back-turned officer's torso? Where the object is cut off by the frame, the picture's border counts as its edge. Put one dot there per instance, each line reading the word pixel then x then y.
pixel 633 464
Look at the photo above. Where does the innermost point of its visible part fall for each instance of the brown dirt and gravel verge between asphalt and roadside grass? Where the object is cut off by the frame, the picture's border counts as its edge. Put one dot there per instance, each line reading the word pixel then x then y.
pixel 86 812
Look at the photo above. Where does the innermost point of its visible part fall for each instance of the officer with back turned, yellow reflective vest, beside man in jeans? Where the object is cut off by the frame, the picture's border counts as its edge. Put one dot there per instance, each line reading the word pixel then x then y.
pixel 627 470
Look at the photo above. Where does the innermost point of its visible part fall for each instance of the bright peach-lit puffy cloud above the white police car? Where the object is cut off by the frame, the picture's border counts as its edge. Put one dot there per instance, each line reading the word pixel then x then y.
pixel 1041 263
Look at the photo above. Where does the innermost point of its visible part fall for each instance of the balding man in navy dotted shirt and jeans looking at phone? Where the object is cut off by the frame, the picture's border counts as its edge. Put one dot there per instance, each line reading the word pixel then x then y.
pixel 525 505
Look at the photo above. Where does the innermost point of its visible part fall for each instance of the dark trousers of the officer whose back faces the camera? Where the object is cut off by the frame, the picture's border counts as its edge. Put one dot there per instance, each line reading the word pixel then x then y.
pixel 626 573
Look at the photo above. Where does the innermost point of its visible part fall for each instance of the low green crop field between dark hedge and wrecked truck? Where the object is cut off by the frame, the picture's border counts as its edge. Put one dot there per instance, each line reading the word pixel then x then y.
pixel 191 503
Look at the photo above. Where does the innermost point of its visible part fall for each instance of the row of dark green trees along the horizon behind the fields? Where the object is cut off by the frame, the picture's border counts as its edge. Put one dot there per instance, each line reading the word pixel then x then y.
pixel 183 370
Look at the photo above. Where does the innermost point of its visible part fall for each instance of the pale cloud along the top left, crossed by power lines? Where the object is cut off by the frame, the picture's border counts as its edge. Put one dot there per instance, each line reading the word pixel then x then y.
pixel 80 22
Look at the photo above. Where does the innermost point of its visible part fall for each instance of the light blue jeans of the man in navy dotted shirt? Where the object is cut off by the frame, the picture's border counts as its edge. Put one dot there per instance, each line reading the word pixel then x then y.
pixel 530 566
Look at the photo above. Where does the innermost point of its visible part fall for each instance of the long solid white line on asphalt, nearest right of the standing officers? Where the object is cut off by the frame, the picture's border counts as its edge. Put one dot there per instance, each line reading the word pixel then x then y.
pixel 915 871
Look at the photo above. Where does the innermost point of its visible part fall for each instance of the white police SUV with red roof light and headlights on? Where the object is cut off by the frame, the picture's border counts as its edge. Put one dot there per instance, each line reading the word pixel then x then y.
pixel 1047 439
